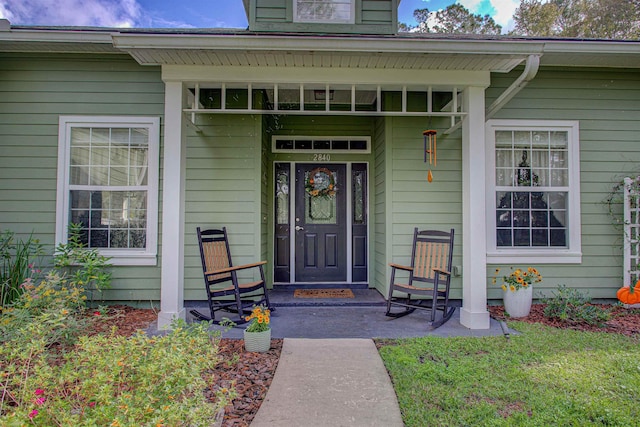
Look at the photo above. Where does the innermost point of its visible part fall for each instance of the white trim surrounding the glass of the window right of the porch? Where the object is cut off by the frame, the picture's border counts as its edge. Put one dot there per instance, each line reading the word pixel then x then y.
pixel 570 255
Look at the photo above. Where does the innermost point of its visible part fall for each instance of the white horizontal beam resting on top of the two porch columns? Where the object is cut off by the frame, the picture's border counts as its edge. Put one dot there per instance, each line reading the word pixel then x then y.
pixel 231 74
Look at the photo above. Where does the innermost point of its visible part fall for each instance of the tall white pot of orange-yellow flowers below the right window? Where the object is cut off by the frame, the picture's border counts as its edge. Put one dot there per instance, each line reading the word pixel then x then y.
pixel 517 290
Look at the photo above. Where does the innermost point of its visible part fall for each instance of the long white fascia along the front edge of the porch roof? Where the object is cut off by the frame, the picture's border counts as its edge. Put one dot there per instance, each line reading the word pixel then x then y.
pixel 326 43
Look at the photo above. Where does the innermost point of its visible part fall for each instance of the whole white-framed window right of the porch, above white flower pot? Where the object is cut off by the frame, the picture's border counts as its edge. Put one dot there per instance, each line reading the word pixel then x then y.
pixel 533 200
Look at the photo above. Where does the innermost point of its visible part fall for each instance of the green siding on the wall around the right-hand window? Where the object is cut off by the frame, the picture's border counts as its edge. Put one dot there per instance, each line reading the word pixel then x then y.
pixel 605 102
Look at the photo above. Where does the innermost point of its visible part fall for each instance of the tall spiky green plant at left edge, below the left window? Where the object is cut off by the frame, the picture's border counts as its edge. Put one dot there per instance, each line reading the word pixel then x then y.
pixel 18 264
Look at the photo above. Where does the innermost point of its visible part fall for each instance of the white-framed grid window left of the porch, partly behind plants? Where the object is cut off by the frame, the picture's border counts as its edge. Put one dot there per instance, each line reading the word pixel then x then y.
pixel 108 183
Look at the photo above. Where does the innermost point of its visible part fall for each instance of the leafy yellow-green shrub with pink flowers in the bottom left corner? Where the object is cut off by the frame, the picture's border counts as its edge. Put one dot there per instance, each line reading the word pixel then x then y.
pixel 115 380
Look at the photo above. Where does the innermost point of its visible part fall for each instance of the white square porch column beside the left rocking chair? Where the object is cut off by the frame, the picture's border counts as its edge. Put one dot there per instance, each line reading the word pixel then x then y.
pixel 173 188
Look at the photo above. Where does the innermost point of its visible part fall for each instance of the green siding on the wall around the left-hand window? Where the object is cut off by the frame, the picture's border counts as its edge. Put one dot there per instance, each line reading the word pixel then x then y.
pixel 35 89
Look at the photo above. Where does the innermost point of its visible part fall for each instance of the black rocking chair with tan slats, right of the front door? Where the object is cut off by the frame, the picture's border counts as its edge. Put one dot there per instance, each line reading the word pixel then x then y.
pixel 429 279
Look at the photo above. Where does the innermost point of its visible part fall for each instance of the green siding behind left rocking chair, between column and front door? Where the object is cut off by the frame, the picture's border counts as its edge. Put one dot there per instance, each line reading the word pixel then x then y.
pixel 223 189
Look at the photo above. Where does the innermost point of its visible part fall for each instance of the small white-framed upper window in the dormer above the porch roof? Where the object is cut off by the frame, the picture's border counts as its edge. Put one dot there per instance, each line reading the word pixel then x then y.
pixel 324 11
